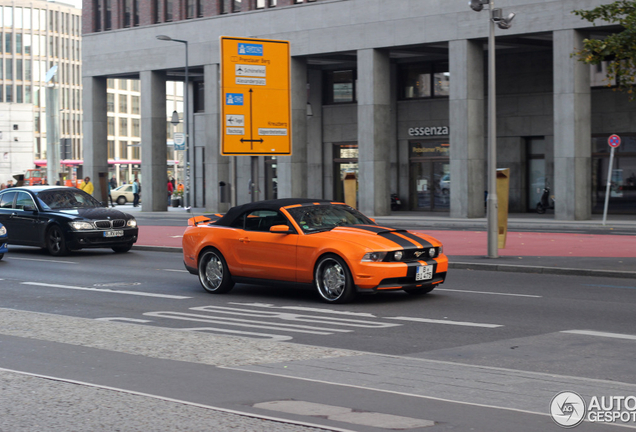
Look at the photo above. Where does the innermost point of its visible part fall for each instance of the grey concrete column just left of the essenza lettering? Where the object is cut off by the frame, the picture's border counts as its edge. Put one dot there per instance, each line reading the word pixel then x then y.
pixel 374 125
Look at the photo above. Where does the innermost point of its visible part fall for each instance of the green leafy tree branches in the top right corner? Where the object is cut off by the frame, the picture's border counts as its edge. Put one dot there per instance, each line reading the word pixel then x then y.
pixel 619 48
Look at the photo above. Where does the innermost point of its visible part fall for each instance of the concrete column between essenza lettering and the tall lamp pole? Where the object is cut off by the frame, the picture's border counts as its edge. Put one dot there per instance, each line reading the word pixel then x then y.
pixel 467 140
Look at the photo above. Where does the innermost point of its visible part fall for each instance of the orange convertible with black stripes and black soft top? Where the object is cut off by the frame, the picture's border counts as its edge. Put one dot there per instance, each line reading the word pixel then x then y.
pixel 330 245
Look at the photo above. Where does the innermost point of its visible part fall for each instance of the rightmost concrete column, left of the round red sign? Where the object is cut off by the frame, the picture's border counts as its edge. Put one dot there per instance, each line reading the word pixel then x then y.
pixel 572 129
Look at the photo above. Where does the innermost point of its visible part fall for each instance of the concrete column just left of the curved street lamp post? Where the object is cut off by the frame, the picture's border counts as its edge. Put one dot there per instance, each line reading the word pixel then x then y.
pixel 153 141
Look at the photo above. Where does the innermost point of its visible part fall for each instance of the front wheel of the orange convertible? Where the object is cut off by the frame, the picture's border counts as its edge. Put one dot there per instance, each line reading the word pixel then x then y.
pixel 333 280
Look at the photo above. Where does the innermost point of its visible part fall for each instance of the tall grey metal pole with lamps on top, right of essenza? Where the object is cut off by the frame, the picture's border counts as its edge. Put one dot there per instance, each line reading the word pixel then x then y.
pixel 492 204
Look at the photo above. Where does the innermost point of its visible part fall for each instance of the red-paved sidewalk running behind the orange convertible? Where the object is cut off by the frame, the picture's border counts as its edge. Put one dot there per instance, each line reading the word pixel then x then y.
pixel 567 248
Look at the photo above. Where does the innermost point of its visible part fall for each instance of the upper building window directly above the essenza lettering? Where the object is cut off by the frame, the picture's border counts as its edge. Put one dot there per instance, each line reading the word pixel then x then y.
pixel 424 80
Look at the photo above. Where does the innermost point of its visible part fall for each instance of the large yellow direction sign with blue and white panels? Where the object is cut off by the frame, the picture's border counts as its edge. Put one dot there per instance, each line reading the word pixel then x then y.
pixel 255 91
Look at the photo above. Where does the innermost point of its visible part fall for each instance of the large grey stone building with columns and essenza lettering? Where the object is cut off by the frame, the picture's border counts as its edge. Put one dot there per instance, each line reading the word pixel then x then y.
pixel 393 91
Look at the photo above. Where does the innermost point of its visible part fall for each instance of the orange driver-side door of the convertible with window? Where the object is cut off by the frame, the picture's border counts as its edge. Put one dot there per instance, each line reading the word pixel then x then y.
pixel 265 255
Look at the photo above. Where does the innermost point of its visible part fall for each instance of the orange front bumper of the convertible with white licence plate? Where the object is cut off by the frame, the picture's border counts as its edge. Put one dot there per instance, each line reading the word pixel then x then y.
pixel 372 276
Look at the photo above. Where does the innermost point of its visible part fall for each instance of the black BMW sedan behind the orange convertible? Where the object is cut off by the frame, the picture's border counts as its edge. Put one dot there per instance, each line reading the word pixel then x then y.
pixel 62 219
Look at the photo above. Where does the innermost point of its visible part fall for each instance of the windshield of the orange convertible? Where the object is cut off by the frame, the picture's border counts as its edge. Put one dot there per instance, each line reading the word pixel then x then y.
pixel 325 217
